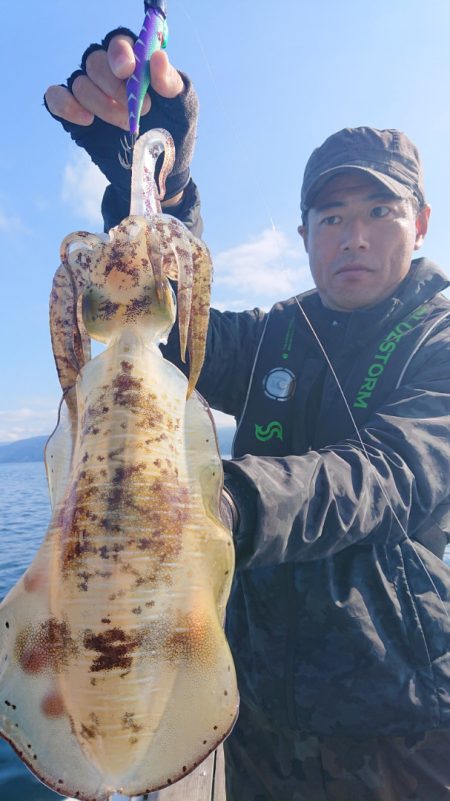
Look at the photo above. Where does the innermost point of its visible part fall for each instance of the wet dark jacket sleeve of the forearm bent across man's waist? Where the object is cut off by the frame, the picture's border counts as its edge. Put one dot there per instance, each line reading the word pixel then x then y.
pixel 298 508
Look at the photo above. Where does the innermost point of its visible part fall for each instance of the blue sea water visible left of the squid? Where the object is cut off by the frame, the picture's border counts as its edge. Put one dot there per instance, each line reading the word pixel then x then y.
pixel 24 517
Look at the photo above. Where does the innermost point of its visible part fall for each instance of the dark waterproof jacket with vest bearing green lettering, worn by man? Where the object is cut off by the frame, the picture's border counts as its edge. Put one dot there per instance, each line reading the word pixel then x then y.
pixel 339 617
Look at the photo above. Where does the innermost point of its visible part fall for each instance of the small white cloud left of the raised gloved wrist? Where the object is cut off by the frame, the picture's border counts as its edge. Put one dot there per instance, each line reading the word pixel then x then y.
pixel 83 187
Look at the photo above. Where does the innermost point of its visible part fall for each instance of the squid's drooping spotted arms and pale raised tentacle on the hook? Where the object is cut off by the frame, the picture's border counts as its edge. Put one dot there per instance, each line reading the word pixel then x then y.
pixel 174 253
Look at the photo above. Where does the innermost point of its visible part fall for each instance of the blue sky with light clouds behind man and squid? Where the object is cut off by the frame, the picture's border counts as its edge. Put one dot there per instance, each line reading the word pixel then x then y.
pixel 274 80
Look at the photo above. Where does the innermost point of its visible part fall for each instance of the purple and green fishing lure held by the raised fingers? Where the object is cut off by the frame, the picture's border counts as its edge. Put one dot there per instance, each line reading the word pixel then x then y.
pixel 153 36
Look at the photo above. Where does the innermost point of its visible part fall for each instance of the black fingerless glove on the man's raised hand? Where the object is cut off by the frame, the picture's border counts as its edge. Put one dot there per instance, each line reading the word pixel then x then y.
pixel 103 141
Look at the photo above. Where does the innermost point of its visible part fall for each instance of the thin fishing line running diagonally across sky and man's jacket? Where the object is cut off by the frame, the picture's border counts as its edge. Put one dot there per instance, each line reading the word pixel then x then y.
pixel 238 142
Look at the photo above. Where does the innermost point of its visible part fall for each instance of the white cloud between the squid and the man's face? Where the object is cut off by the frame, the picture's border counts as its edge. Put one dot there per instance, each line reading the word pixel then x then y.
pixel 268 268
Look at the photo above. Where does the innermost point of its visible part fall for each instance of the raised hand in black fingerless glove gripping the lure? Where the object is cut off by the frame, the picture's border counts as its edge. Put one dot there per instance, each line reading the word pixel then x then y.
pixel 92 107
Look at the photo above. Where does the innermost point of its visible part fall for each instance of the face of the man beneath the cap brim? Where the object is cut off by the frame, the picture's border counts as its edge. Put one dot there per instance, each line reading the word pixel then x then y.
pixel 360 239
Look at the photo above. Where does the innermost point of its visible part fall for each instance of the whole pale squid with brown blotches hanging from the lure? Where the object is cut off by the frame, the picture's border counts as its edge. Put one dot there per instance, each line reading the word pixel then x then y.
pixel 115 674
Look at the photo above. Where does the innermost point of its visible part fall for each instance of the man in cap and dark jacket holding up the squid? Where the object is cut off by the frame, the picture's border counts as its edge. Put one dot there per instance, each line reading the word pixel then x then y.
pixel 338 489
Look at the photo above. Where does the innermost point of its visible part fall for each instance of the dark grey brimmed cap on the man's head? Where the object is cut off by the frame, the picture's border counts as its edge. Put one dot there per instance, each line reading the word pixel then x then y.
pixel 389 156
